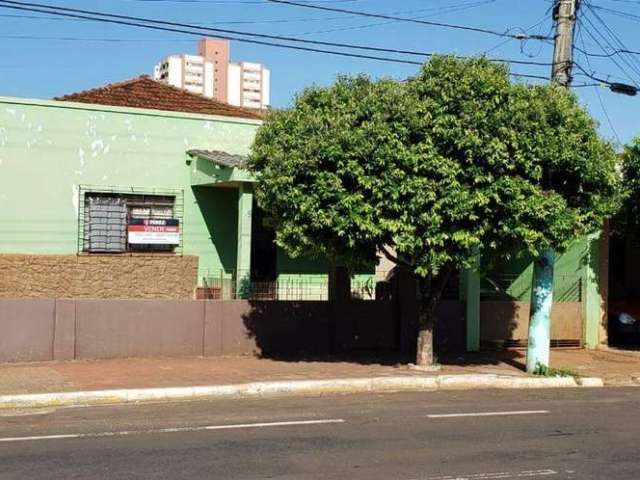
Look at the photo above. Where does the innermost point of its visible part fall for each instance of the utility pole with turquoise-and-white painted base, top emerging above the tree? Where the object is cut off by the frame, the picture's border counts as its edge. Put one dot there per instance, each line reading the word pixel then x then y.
pixel 539 344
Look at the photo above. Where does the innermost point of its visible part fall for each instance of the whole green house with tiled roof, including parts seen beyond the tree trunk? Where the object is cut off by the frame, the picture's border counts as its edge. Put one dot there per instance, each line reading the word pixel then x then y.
pixel 138 190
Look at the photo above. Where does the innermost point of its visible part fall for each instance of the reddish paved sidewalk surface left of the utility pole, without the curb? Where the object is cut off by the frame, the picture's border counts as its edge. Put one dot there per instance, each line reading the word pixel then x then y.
pixel 171 372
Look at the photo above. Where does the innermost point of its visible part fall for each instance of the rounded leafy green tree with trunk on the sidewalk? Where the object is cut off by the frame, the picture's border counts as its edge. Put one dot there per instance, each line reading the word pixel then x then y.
pixel 453 163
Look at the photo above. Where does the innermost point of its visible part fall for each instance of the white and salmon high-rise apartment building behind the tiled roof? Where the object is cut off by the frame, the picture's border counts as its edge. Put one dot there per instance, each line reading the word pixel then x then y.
pixel 210 73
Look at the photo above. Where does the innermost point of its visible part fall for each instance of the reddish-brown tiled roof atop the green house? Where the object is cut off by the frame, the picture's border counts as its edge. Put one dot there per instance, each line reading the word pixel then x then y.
pixel 143 92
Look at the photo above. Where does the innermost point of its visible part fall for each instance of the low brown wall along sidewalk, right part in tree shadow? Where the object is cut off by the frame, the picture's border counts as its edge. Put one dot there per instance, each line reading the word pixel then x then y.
pixel 59 329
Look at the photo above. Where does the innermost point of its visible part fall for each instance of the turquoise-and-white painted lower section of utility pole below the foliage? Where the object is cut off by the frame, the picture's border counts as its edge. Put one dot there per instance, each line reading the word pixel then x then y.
pixel 539 344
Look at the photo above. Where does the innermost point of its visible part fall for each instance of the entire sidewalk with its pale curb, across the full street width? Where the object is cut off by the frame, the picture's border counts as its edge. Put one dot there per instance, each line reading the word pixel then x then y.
pixel 106 381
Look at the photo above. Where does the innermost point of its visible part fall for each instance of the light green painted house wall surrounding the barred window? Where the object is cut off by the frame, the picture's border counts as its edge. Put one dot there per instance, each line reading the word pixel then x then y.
pixel 48 149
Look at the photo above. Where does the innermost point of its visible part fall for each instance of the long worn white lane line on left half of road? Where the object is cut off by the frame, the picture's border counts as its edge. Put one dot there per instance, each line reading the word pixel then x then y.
pixel 174 430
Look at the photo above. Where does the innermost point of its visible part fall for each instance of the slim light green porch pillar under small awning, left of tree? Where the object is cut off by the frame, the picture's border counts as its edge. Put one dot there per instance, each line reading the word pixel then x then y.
pixel 243 261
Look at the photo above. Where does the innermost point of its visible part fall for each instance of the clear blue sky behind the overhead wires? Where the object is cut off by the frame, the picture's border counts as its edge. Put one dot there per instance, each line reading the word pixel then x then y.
pixel 43 57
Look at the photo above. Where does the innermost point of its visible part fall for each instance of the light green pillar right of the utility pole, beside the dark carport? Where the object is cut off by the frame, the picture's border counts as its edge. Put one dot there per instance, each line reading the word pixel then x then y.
pixel 592 298
